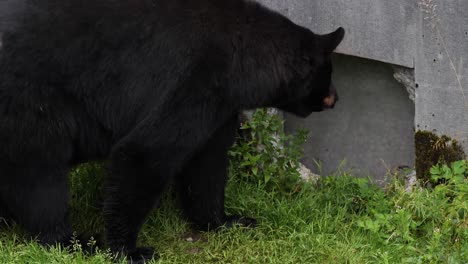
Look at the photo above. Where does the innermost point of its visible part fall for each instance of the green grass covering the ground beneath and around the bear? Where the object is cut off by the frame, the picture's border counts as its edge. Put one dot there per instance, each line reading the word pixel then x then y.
pixel 339 220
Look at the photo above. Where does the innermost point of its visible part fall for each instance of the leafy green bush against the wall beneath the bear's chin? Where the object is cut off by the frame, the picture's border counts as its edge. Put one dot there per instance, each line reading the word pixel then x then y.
pixel 265 155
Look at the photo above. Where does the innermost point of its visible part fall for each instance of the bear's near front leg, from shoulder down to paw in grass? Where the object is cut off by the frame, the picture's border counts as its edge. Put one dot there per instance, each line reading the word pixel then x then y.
pixel 142 164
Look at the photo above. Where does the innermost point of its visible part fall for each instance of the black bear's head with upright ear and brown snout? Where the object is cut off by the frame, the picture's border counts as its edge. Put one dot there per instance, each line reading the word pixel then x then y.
pixel 316 90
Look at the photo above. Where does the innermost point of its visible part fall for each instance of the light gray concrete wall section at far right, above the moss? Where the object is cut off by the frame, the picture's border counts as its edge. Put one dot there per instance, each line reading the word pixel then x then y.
pixel 442 70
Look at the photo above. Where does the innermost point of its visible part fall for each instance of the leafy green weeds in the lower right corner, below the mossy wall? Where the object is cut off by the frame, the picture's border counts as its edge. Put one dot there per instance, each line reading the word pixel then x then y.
pixel 429 223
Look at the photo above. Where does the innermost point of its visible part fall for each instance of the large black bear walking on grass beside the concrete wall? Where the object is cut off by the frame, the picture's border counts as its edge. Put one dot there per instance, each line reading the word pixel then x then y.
pixel 155 87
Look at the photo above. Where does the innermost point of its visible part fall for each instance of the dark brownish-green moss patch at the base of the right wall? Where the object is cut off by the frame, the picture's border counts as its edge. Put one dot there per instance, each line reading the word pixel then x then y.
pixel 432 149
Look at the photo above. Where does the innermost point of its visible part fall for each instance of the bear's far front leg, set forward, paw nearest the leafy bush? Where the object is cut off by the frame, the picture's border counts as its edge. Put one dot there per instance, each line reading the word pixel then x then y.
pixel 202 182
